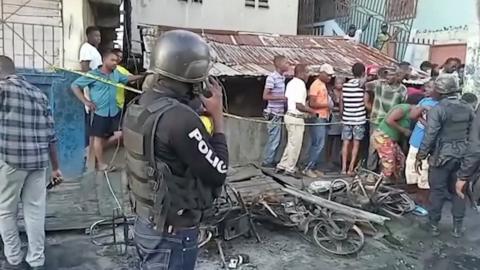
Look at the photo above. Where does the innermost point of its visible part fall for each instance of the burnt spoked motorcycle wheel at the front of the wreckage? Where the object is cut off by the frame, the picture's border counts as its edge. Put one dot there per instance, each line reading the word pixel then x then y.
pixel 346 239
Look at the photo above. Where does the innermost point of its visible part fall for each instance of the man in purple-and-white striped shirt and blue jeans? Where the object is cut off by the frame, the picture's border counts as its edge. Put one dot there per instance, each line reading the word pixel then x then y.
pixel 274 94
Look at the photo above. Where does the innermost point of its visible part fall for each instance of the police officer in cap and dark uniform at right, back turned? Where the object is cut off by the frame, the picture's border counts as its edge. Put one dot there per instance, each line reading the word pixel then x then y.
pixel 446 142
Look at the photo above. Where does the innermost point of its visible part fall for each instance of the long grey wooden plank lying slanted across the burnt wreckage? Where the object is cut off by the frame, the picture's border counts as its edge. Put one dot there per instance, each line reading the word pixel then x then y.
pixel 337 207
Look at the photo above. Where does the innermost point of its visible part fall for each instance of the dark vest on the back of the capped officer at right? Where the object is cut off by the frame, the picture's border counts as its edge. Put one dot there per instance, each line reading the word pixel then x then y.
pixel 457 125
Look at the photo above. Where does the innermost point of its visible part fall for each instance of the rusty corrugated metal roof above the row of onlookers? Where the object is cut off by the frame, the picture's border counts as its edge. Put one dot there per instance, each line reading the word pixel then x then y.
pixel 249 54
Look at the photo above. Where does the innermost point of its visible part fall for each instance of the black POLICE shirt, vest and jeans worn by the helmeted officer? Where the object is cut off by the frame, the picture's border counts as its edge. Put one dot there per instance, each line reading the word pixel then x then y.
pixel 171 191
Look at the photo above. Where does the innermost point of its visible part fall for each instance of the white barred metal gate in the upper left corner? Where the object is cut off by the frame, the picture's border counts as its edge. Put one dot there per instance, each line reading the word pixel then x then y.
pixel 31 33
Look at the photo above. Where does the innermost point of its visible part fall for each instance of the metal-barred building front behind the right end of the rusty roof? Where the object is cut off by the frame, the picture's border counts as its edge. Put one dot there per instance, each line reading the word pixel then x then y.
pixel 333 17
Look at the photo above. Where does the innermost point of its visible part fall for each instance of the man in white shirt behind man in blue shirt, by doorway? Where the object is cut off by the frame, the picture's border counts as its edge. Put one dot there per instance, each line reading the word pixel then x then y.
pixel 90 57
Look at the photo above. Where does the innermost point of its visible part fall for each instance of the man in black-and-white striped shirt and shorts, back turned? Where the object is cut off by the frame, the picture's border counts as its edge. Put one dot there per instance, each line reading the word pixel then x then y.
pixel 354 116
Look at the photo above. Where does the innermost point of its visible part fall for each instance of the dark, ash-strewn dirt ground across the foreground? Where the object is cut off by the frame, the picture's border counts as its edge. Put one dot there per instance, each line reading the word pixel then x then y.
pixel 410 247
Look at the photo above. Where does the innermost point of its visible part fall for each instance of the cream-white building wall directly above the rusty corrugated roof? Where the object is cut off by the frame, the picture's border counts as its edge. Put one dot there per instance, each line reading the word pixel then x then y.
pixel 280 17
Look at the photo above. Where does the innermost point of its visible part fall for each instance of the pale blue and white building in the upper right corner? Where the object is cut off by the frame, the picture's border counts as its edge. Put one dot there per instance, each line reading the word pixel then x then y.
pixel 452 31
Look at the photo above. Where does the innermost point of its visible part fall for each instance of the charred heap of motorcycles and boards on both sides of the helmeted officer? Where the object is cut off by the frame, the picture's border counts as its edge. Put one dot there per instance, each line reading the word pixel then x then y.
pixel 333 215
